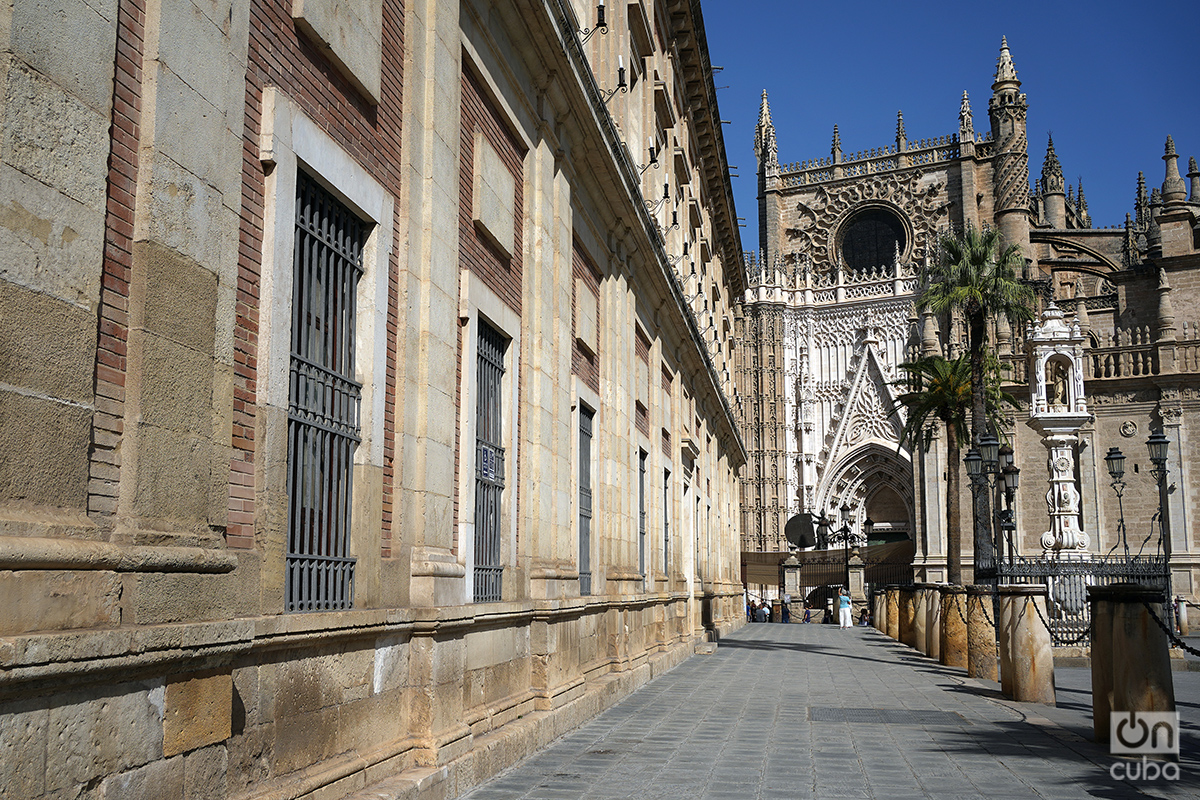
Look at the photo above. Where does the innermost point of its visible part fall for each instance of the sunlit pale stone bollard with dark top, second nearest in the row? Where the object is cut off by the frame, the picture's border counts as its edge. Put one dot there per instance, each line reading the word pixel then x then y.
pixel 1027 654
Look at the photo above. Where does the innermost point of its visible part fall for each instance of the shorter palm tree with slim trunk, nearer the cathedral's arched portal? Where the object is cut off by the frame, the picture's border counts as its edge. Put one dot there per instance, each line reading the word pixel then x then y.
pixel 940 390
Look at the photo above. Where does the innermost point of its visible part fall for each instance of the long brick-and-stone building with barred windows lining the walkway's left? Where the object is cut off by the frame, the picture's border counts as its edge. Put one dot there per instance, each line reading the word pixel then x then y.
pixel 363 388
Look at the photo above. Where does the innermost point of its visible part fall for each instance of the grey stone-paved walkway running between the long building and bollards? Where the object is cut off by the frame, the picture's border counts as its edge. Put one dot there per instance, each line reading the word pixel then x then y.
pixel 796 712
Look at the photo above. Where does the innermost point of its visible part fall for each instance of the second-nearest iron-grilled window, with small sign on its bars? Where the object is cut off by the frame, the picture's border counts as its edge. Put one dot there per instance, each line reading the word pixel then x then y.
pixel 489 462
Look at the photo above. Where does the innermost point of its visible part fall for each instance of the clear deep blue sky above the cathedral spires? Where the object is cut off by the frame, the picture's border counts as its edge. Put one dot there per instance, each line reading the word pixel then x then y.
pixel 1109 80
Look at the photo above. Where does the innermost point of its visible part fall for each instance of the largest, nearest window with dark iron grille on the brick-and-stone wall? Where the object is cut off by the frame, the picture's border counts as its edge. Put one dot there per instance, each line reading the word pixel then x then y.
pixel 323 401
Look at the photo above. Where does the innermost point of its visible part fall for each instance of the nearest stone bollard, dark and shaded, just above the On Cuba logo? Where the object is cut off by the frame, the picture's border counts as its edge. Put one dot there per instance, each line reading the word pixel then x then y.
pixel 1131 654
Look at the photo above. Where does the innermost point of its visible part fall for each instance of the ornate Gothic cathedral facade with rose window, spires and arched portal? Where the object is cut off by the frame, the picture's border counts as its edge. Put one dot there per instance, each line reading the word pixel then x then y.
pixel 830 315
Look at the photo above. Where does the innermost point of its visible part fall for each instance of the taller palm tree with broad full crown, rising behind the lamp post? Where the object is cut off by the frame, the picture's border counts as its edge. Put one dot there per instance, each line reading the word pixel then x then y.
pixel 977 276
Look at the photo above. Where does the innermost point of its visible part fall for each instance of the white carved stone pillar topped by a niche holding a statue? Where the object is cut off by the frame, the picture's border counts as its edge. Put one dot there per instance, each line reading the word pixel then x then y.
pixel 1058 412
